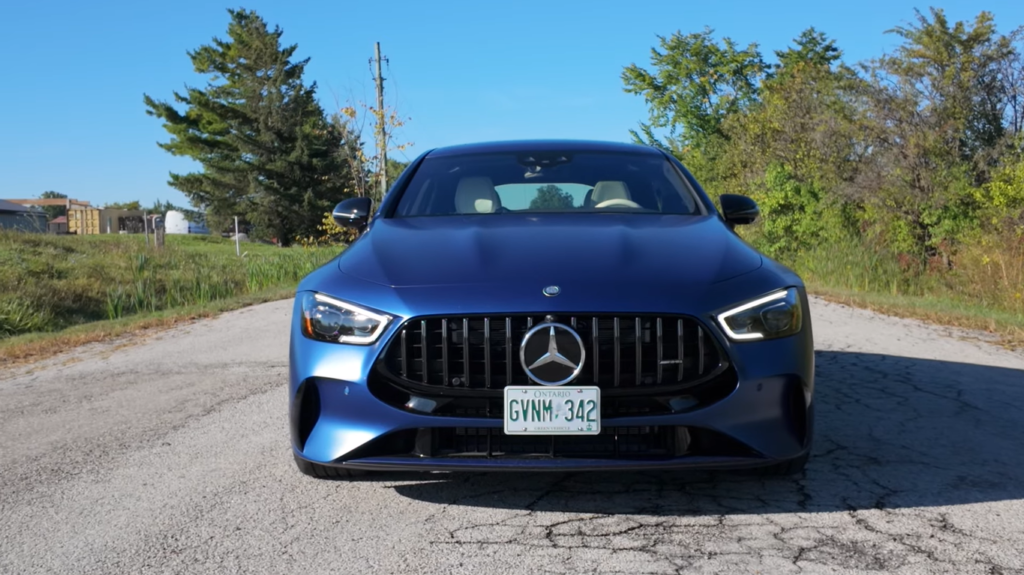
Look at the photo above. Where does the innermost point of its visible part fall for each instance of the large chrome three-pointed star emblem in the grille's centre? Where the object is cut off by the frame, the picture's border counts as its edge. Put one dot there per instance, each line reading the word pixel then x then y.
pixel 554 360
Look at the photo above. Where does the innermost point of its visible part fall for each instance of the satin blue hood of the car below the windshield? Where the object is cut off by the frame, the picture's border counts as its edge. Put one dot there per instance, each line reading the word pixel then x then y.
pixel 558 249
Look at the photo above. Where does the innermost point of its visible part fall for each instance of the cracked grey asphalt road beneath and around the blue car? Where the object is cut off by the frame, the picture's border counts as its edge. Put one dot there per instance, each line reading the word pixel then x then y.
pixel 172 456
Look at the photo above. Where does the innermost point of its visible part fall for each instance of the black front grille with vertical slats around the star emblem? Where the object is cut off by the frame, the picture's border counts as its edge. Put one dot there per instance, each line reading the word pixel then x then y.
pixel 623 352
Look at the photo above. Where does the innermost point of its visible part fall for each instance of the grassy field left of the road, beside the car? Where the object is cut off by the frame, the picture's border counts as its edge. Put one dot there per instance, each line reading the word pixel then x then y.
pixel 50 284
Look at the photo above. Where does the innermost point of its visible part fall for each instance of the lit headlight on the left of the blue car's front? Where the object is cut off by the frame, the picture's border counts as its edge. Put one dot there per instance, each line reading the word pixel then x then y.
pixel 328 320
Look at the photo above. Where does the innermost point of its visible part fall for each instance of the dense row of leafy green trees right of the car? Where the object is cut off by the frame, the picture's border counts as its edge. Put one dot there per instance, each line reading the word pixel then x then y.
pixel 917 152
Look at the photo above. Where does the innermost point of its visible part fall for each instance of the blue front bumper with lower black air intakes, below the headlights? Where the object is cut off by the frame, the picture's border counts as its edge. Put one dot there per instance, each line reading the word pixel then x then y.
pixel 337 421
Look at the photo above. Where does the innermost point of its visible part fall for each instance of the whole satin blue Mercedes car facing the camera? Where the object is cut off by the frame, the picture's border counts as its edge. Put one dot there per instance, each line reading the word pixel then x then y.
pixel 550 306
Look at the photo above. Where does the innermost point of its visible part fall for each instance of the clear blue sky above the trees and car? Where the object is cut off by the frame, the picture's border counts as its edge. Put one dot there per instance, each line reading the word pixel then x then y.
pixel 72 117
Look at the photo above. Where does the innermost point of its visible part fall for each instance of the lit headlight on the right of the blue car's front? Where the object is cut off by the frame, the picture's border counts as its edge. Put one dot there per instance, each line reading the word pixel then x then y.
pixel 776 316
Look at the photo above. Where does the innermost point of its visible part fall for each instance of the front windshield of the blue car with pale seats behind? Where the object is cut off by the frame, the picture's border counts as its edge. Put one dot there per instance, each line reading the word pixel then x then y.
pixel 563 183
